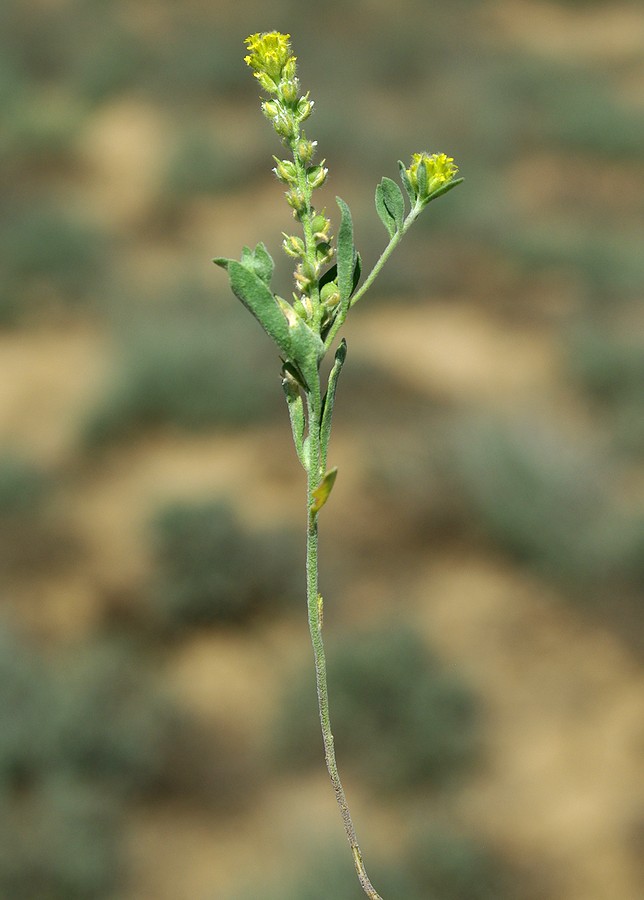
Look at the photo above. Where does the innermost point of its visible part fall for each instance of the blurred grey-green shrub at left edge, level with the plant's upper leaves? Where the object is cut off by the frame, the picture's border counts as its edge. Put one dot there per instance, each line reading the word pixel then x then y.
pixel 47 259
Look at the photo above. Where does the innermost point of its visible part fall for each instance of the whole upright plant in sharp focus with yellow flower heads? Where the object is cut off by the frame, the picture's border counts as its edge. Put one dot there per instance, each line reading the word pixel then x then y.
pixel 327 285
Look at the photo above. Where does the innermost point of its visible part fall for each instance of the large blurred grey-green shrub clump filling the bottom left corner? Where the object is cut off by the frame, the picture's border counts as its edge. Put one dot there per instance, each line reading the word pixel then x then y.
pixel 81 735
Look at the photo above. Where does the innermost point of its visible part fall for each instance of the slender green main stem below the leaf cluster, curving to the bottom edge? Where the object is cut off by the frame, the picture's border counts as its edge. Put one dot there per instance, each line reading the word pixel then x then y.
pixel 314 605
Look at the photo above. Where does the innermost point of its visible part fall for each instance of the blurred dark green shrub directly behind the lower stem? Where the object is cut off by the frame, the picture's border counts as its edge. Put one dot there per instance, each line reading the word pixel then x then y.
pixel 400 716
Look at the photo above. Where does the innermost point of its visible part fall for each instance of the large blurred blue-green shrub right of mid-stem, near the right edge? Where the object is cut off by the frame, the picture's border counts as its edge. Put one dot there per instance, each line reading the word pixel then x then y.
pixel 538 495
